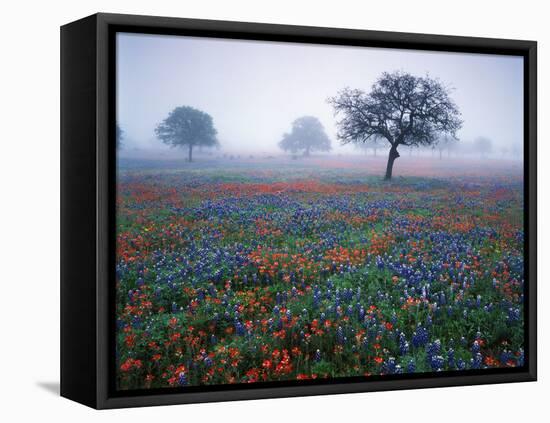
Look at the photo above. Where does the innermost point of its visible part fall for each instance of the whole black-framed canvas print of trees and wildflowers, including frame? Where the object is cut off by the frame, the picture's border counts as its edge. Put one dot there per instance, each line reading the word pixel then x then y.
pixel 254 211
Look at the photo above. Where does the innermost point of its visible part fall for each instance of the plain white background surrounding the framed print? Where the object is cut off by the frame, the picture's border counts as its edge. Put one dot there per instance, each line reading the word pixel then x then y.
pixel 29 209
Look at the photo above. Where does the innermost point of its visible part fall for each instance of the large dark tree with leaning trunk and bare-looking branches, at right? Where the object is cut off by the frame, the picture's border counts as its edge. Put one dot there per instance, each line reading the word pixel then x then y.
pixel 401 108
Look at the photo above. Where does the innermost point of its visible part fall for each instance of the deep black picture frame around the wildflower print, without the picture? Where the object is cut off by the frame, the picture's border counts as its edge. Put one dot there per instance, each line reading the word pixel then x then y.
pixel 88 192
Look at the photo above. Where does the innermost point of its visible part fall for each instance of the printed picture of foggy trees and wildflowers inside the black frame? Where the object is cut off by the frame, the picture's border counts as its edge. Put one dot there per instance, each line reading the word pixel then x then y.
pixel 291 212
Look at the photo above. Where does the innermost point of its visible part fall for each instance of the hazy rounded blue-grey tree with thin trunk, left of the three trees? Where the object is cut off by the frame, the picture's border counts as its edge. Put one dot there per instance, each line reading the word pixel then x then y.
pixel 187 127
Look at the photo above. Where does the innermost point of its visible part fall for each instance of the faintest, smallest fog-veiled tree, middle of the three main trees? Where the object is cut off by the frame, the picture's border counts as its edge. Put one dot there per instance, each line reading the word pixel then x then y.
pixel 307 135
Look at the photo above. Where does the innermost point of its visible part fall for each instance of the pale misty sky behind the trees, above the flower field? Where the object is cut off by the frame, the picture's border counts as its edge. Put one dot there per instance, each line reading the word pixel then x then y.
pixel 254 90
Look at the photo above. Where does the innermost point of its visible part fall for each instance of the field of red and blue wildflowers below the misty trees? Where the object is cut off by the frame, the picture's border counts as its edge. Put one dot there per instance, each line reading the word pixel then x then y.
pixel 273 272
